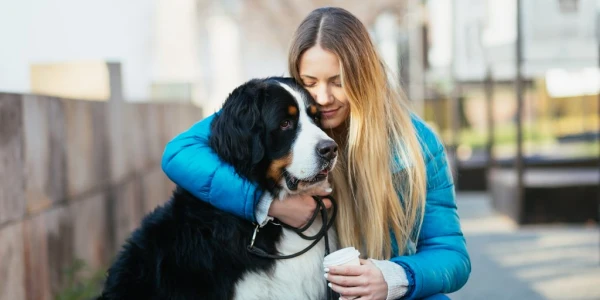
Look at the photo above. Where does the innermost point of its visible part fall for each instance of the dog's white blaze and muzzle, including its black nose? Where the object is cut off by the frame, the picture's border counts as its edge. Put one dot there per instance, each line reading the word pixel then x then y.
pixel 313 153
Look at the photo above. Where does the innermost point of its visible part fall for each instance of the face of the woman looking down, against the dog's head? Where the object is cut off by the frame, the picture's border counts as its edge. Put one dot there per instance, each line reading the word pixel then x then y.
pixel 320 74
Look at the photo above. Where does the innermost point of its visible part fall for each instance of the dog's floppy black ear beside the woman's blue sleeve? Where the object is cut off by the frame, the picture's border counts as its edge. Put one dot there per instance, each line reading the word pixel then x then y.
pixel 238 130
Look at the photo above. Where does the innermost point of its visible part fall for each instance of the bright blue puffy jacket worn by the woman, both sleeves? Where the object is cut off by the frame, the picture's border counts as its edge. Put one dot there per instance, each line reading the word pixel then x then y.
pixel 441 263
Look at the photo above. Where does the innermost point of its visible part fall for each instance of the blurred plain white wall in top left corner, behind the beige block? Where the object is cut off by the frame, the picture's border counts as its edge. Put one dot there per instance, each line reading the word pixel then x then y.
pixel 37 31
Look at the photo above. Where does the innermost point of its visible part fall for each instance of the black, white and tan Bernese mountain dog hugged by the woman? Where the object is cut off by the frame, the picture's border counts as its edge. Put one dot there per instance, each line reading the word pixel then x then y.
pixel 187 249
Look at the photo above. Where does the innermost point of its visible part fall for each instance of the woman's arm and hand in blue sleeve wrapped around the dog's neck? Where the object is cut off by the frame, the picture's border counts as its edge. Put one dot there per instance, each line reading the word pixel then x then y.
pixel 191 163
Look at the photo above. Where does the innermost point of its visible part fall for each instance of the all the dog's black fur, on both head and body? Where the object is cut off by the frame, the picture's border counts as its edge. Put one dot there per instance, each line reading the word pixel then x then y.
pixel 187 249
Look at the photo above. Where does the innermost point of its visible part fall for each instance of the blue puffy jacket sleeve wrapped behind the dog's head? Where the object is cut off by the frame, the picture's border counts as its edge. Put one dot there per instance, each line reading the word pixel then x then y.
pixel 189 161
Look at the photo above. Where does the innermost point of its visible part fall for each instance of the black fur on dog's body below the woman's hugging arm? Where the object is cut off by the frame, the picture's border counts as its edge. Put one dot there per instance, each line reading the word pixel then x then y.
pixel 187 249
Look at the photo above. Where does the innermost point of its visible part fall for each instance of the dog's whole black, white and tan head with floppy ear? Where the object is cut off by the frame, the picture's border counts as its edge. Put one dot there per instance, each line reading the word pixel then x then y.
pixel 268 131
